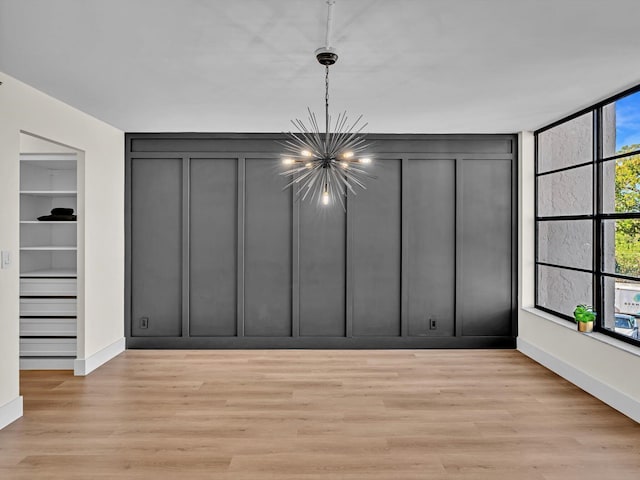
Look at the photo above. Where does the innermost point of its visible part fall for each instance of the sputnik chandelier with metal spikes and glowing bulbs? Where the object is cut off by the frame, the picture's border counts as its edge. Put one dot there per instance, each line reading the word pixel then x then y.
pixel 326 166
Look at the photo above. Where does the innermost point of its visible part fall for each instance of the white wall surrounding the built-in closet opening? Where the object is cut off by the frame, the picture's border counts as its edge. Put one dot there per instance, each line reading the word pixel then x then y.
pixel 23 108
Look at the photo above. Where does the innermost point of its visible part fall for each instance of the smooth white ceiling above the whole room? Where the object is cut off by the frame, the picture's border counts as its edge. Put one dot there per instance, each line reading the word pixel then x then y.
pixel 410 66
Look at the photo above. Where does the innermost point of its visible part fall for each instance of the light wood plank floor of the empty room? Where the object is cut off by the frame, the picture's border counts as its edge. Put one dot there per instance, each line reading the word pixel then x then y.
pixel 303 415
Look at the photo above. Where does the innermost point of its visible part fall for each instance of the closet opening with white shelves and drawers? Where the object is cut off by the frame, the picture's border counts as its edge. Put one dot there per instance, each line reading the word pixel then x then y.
pixel 51 252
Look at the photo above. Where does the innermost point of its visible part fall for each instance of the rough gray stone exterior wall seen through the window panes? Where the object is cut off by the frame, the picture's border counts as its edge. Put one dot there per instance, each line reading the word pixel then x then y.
pixel 570 193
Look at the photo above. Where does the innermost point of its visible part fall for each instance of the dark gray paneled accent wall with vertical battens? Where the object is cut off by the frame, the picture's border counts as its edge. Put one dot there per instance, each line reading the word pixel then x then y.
pixel 220 256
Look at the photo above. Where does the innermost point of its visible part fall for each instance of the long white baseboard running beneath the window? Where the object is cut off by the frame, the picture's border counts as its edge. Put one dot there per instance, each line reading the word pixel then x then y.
pixel 609 395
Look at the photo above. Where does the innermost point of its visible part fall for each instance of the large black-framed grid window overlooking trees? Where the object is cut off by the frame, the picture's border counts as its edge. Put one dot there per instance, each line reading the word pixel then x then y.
pixel 588 215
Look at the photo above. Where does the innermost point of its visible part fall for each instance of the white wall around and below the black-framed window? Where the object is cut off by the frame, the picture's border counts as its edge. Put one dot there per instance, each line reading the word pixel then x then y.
pixel 598 364
